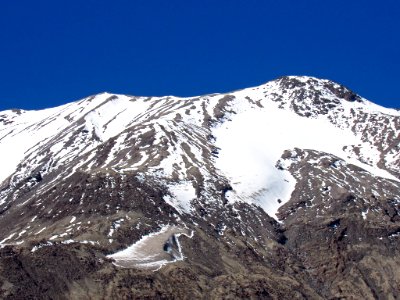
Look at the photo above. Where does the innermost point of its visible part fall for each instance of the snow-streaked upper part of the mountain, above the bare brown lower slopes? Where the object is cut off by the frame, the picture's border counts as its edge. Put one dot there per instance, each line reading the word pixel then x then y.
pixel 191 143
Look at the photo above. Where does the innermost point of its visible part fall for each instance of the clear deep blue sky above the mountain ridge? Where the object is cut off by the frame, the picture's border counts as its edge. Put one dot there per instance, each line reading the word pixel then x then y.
pixel 53 52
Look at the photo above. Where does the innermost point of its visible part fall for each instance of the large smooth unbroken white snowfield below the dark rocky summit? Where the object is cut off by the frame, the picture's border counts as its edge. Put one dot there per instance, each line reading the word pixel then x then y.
pixel 255 138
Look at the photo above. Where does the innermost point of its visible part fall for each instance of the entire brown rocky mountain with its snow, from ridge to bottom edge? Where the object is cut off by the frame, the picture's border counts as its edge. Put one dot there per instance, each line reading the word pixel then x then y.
pixel 286 190
